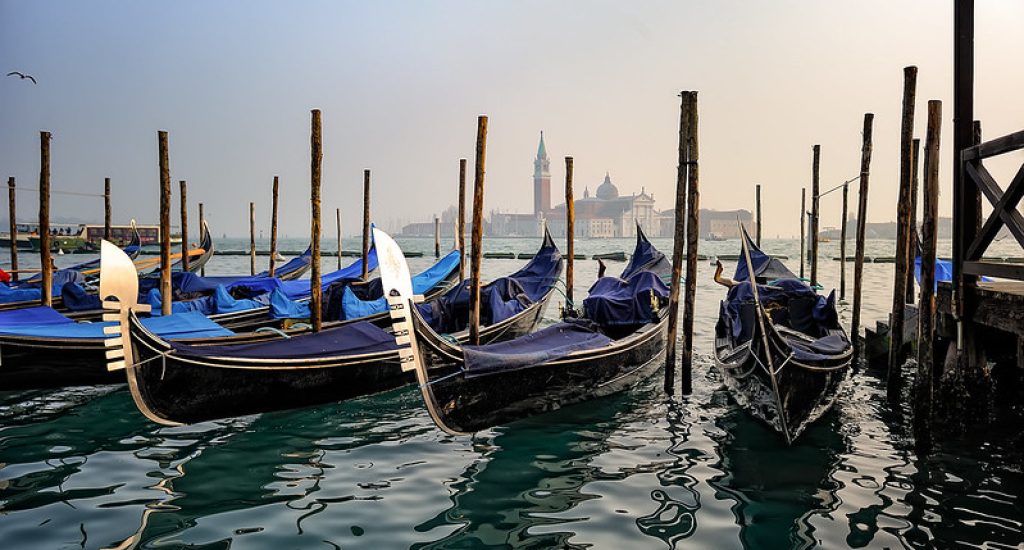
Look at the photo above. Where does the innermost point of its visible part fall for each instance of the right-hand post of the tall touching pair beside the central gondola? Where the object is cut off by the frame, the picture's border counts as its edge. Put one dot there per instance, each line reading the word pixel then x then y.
pixel 693 240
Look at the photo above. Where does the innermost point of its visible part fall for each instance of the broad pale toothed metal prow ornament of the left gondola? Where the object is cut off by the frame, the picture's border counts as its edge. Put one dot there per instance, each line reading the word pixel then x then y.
pixel 119 291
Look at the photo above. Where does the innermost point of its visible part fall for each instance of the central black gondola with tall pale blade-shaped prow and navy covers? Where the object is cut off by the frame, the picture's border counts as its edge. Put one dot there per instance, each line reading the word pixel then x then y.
pixel 617 342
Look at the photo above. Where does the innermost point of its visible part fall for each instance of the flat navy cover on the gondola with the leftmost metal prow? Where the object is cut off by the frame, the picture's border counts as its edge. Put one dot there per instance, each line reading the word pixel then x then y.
pixel 358 339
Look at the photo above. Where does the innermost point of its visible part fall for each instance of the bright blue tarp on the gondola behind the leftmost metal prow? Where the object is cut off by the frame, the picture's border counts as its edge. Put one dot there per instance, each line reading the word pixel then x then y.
pixel 190 325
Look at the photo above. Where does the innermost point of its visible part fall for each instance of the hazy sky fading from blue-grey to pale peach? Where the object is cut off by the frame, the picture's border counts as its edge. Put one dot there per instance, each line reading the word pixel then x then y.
pixel 401 86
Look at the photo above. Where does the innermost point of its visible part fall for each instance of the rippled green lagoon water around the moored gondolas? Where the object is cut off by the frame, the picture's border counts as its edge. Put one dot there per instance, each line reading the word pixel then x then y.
pixel 81 469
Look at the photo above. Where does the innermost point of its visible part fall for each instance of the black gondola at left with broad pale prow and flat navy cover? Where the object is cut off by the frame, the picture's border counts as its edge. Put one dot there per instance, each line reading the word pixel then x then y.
pixel 192 382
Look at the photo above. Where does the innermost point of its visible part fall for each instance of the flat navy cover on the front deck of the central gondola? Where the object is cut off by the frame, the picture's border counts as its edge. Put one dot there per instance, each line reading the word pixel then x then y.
pixel 545 346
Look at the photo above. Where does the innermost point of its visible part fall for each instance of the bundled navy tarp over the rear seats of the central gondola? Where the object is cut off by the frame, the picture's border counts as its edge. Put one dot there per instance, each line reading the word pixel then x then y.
pixel 615 302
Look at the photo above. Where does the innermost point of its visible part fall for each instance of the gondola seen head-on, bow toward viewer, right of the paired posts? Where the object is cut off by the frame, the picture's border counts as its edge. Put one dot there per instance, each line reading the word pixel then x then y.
pixel 780 346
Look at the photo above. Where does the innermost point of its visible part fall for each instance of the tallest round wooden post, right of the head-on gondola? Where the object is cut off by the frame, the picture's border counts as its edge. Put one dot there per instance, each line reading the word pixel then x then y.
pixel 897 344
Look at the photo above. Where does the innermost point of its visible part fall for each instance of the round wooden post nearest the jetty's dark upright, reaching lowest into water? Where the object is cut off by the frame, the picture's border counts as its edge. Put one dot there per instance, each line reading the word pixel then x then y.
pixel 929 239
